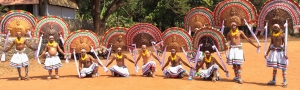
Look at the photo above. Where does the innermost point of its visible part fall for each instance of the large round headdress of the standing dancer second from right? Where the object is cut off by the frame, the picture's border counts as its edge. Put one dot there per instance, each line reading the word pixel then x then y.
pixel 234 11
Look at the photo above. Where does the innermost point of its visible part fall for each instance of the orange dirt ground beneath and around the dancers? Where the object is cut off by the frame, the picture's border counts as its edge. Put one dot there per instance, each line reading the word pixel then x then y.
pixel 255 75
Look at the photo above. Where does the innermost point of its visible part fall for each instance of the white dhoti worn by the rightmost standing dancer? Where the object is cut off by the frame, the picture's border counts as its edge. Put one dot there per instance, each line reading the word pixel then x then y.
pixel 277 58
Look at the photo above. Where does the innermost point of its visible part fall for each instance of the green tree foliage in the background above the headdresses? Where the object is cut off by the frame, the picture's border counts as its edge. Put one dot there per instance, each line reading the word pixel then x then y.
pixel 161 13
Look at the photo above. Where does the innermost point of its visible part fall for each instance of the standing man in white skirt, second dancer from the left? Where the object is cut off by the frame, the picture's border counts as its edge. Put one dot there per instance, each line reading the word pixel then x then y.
pixel 52 60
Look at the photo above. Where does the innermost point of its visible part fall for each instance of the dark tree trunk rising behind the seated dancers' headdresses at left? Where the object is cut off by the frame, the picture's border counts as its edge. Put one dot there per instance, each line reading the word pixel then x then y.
pixel 96 16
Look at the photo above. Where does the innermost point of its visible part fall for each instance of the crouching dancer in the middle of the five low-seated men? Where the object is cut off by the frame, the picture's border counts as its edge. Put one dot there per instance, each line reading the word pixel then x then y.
pixel 149 66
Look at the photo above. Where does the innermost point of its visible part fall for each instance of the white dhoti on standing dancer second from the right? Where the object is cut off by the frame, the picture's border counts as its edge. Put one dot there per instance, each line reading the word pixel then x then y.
pixel 235 55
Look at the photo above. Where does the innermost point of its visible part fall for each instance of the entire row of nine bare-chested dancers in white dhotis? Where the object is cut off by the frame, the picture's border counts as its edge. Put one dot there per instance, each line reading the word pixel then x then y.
pixel 235 57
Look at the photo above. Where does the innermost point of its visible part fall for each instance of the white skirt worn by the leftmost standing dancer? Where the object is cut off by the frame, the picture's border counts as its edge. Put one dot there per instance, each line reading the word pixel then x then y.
pixel 19 59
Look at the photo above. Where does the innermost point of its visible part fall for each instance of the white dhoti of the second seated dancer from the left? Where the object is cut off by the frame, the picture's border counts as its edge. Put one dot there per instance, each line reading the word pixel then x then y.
pixel 123 71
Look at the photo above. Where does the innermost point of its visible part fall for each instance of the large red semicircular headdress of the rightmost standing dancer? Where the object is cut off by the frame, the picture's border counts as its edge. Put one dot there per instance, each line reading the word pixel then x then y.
pixel 277 11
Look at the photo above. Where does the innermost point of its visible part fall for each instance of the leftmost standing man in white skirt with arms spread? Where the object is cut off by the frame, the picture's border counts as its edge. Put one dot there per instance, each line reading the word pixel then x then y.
pixel 20 59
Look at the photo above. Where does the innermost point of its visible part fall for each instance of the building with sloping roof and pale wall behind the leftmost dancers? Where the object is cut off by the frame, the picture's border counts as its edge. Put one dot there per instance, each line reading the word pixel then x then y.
pixel 61 8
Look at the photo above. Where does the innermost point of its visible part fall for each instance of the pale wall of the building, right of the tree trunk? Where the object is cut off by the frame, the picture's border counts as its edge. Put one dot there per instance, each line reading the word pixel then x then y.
pixel 62 12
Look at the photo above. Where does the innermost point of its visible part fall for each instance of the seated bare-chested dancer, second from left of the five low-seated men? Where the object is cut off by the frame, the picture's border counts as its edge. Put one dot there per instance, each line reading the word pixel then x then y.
pixel 120 69
